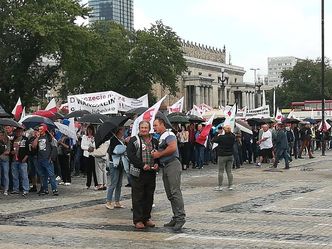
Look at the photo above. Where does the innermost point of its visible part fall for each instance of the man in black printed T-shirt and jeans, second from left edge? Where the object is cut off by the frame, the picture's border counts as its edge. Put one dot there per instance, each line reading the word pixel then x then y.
pixel 20 154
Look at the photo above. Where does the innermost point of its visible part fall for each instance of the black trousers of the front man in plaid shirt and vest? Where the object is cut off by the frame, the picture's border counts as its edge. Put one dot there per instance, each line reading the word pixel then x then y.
pixel 142 191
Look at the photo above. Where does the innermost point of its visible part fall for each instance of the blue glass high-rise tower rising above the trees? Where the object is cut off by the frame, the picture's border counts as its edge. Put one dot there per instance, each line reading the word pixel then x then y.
pixel 120 11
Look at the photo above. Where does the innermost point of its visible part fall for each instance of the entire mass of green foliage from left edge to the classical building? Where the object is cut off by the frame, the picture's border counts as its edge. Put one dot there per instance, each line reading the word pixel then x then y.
pixel 103 56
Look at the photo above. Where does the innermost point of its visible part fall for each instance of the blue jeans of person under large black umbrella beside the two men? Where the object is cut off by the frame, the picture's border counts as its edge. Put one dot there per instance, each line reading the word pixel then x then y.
pixel 116 183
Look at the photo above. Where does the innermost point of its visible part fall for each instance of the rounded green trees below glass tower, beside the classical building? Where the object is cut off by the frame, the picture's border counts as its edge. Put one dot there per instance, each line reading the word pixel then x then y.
pixel 128 62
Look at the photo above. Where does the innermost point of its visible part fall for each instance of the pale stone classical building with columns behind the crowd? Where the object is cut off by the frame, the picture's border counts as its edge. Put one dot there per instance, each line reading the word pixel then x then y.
pixel 200 83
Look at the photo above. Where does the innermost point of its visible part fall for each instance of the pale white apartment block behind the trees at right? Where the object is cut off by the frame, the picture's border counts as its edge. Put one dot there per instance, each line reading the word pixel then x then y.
pixel 276 65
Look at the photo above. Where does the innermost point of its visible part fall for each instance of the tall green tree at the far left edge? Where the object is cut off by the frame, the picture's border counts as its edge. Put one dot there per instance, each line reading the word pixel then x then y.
pixel 30 32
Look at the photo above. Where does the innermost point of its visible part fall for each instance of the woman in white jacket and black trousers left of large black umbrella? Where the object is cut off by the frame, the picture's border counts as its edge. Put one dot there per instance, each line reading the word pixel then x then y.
pixel 88 146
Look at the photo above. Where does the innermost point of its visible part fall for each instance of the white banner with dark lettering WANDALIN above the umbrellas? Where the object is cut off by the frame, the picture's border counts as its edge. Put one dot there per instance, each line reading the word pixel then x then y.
pixel 108 102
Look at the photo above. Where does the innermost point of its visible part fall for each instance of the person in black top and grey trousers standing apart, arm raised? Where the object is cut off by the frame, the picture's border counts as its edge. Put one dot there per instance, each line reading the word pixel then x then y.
pixel 225 156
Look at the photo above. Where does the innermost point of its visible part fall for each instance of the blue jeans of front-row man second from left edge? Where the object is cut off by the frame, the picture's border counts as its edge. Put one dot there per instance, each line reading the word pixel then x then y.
pixel 20 172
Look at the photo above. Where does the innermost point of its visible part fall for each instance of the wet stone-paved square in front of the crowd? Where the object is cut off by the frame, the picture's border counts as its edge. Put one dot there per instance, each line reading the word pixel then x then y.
pixel 268 208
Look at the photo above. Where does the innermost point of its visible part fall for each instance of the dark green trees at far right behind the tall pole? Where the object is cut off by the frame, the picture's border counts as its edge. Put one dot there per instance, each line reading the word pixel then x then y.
pixel 303 82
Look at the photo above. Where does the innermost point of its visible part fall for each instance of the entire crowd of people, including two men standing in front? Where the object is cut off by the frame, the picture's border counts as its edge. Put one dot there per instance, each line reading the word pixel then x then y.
pixel 30 160
